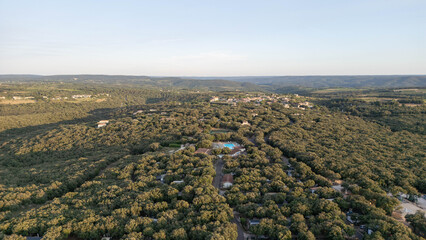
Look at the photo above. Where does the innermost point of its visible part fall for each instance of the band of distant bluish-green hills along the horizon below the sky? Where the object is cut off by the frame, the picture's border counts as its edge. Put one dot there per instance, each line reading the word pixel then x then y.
pixel 254 83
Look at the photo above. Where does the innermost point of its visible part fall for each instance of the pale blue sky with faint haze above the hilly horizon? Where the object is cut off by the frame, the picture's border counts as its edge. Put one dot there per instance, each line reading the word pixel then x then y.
pixel 213 38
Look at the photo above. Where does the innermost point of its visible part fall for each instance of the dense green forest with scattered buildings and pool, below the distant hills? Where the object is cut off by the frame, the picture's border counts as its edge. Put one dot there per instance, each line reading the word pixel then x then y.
pixel 329 164
